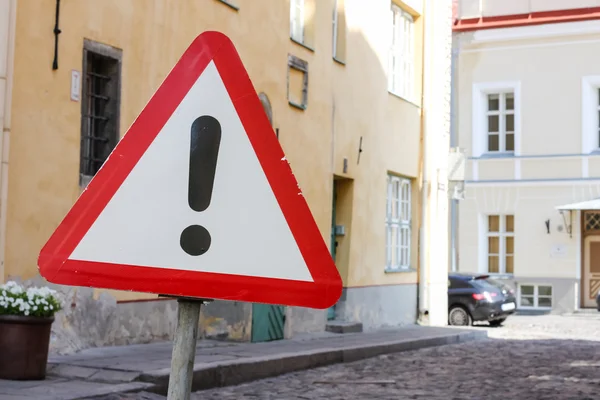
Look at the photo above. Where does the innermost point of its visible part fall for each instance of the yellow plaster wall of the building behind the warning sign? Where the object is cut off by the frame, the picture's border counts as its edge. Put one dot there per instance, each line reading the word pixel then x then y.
pixel 345 102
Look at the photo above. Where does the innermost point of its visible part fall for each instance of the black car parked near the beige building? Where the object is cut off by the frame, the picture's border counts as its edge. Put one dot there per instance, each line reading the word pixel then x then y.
pixel 477 297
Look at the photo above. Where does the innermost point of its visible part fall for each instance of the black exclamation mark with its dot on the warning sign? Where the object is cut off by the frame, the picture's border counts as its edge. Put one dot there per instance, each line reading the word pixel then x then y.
pixel 204 149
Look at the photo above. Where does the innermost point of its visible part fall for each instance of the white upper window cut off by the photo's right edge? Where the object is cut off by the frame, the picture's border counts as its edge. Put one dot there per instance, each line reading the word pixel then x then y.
pixel 590 105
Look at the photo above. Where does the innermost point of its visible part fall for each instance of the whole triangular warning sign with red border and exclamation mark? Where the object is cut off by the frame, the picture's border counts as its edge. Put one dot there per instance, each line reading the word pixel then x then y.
pixel 197 200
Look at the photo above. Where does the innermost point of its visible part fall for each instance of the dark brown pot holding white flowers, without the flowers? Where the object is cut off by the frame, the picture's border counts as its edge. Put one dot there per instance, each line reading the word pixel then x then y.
pixel 24 343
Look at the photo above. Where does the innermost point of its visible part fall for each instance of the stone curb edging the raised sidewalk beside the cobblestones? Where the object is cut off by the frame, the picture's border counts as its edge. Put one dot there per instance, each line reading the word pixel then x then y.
pixel 234 372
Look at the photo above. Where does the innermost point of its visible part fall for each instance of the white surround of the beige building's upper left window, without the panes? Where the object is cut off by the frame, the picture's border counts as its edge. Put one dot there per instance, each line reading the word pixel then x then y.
pixel 480 112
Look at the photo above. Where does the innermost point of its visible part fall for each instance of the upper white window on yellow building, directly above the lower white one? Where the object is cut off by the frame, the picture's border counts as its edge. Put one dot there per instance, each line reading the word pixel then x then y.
pixel 401 57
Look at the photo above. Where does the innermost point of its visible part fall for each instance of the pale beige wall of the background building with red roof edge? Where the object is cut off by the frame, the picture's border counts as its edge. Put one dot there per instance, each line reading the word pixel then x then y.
pixel 552 70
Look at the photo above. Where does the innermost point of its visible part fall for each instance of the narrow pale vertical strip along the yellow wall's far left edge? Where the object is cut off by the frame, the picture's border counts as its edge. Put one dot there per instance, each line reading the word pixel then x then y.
pixel 8 21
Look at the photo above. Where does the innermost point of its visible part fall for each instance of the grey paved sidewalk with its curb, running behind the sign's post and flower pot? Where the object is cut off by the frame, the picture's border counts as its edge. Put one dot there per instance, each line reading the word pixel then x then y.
pixel 102 371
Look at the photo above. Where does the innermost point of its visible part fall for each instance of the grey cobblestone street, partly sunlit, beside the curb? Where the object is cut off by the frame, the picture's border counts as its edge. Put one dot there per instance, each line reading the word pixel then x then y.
pixel 531 357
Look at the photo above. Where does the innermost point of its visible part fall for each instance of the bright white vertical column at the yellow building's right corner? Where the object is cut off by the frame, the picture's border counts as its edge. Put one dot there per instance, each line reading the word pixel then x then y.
pixel 436 108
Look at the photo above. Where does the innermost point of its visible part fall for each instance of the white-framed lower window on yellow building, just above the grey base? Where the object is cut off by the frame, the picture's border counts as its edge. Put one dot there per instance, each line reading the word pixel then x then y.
pixel 401 203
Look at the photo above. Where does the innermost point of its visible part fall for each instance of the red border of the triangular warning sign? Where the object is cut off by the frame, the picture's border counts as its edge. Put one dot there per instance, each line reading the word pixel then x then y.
pixel 209 46
